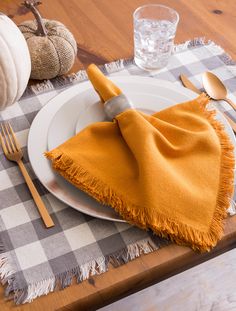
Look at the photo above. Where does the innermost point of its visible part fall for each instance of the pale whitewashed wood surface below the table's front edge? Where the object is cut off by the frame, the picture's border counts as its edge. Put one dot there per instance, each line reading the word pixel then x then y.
pixel 209 286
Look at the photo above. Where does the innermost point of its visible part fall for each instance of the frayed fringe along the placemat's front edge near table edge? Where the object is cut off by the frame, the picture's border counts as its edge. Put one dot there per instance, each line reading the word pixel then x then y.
pixel 27 294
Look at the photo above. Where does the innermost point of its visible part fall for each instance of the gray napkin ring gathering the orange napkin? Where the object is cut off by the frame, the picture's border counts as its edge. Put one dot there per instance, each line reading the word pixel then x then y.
pixel 116 105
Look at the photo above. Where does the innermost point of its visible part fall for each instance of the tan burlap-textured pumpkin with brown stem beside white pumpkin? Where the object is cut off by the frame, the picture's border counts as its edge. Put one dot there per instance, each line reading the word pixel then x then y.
pixel 51 45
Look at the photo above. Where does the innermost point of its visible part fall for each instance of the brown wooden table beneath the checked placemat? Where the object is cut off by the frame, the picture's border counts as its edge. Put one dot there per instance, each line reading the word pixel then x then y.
pixel 103 30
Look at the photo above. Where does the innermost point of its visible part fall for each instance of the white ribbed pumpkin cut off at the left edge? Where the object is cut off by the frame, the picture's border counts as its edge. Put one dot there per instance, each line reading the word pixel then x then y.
pixel 15 64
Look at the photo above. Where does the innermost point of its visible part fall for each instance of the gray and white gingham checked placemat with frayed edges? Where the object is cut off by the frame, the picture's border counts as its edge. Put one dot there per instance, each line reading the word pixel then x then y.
pixel 33 260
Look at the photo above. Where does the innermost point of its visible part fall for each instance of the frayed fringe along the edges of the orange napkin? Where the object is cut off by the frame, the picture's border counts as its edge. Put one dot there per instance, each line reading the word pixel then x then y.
pixel 165 227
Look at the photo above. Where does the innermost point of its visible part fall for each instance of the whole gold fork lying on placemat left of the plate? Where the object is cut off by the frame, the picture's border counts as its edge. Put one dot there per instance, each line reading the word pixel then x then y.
pixel 13 152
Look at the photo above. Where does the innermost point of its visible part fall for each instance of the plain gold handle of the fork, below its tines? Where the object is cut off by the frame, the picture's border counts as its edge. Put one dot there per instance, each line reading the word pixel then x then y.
pixel 37 199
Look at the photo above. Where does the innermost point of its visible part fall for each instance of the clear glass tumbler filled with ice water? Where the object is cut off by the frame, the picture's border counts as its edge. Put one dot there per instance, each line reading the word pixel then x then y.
pixel 154 32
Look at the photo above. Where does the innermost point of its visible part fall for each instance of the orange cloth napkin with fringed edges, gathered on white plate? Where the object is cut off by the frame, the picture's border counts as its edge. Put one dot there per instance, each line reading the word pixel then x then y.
pixel 171 172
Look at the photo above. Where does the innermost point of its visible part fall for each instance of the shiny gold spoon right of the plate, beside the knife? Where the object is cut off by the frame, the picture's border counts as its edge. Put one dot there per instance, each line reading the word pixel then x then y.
pixel 215 88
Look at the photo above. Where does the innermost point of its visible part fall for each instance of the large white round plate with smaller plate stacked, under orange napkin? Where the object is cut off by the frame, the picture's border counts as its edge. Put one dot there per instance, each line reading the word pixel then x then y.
pixel 56 122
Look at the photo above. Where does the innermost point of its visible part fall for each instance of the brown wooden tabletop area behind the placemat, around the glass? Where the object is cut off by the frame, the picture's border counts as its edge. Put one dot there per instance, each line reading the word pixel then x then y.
pixel 104 28
